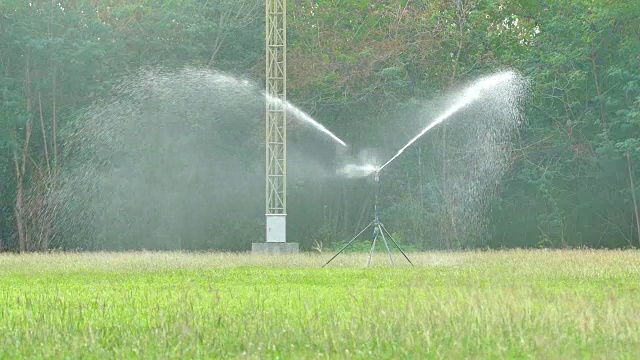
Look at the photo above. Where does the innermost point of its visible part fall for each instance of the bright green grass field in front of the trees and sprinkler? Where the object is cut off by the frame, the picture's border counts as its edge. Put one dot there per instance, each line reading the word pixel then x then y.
pixel 506 304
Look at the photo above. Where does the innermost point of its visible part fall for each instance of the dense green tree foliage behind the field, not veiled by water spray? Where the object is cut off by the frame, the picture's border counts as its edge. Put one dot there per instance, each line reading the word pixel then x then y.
pixel 357 66
